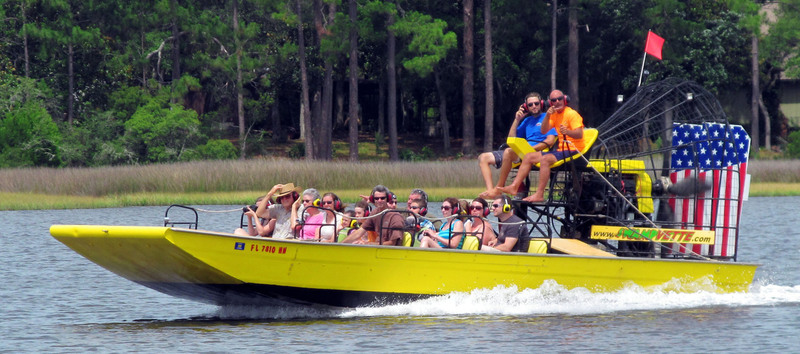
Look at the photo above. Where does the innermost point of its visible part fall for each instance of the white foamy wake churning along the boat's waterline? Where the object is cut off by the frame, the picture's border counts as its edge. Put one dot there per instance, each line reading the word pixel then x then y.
pixel 551 299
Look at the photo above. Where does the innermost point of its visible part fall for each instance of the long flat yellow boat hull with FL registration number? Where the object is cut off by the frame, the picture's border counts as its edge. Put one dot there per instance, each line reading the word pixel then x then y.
pixel 222 269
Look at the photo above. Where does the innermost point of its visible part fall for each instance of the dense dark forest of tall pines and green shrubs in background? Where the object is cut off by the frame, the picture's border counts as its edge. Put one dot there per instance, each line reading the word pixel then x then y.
pixel 94 83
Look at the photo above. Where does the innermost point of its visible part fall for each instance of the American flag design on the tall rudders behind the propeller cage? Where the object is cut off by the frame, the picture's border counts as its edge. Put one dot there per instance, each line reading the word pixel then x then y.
pixel 716 154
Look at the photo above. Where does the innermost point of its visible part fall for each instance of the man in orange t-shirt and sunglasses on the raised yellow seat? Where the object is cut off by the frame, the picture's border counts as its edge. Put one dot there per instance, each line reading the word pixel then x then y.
pixel 569 125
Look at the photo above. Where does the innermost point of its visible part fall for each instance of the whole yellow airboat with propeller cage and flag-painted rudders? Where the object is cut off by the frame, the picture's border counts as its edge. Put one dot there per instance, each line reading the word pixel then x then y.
pixel 654 202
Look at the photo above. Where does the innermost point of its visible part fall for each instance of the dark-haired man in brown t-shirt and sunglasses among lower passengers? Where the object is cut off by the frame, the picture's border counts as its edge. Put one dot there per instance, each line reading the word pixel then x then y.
pixel 387 227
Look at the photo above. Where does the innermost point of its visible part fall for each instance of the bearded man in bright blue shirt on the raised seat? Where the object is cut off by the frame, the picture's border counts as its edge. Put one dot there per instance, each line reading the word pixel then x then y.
pixel 527 124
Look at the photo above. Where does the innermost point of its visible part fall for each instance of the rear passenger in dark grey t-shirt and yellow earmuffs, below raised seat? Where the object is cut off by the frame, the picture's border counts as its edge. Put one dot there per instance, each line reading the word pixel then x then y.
pixel 512 235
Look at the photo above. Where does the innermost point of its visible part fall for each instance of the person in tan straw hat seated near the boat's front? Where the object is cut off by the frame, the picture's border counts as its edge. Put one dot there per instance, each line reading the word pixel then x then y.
pixel 285 196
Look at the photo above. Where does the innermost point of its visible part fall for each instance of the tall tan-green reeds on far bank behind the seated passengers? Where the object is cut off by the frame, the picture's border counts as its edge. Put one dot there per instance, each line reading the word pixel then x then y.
pixel 236 175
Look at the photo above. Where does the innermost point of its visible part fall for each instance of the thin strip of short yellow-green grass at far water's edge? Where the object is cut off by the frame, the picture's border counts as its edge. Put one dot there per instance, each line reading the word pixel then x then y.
pixel 38 201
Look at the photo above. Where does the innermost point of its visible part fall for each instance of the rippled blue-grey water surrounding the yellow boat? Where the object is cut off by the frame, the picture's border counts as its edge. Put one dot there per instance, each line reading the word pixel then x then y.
pixel 52 299
